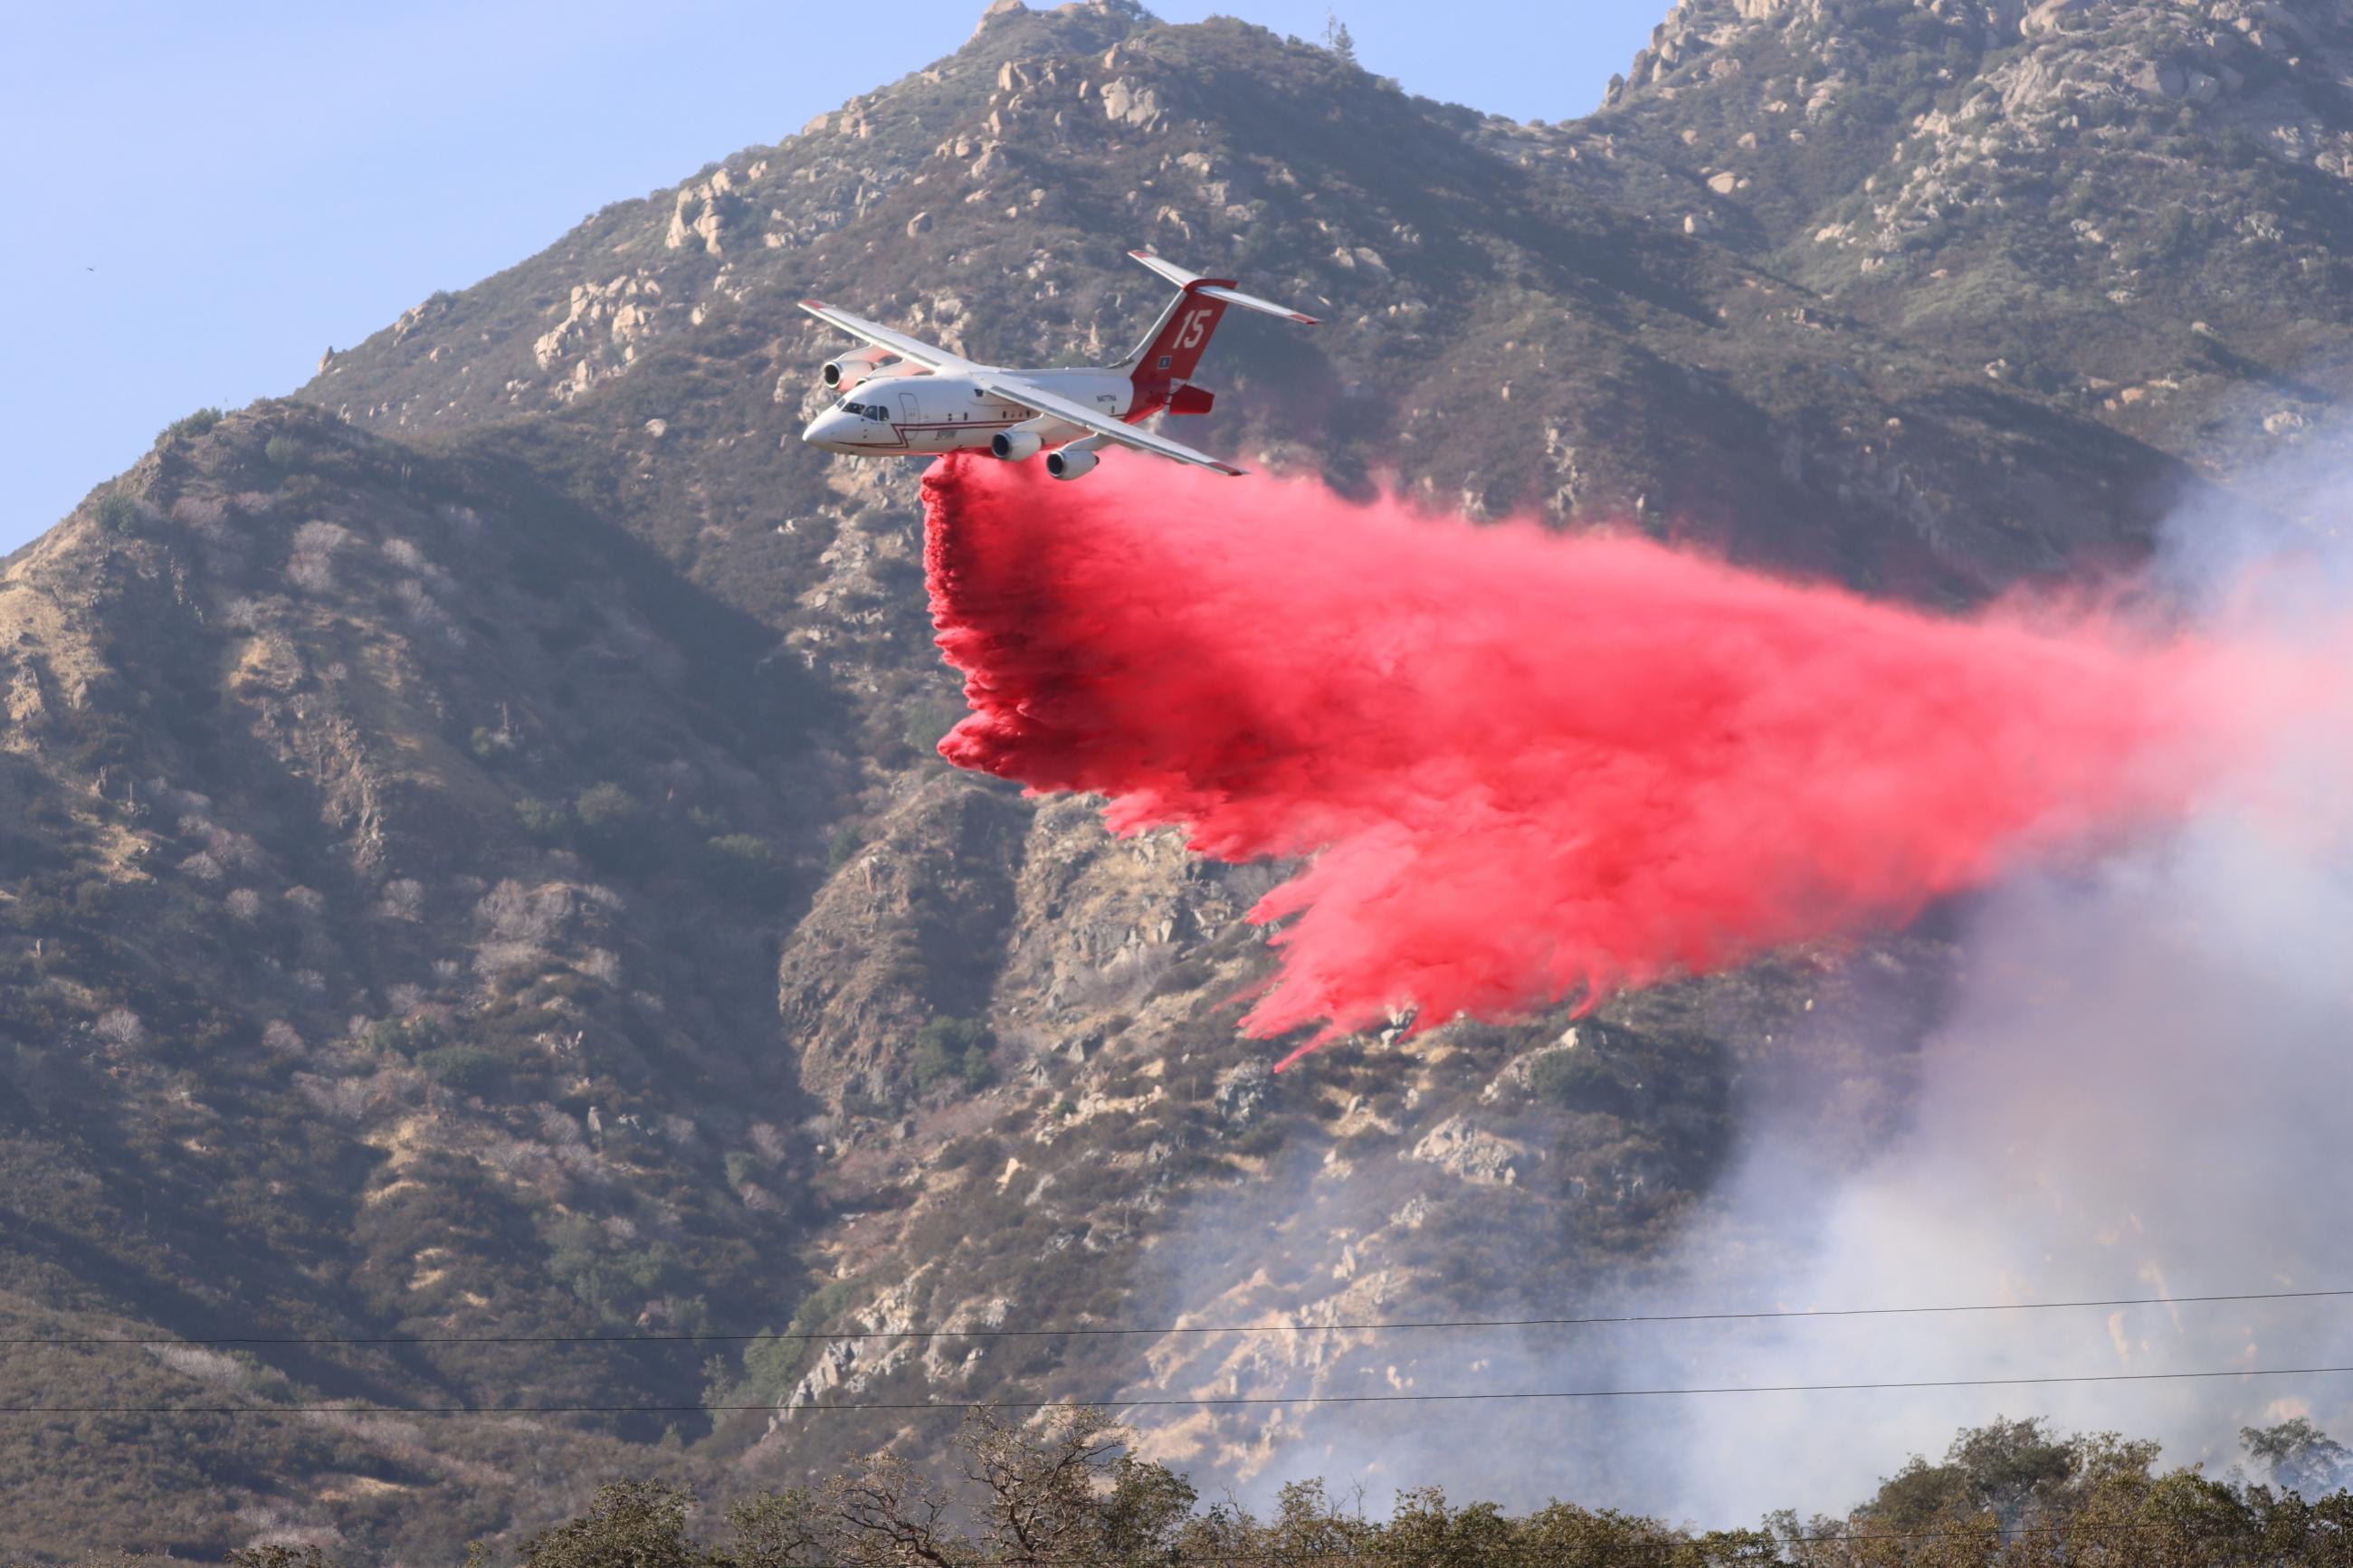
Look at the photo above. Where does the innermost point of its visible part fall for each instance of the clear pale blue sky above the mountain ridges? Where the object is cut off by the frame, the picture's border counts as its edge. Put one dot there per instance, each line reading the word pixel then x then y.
pixel 208 196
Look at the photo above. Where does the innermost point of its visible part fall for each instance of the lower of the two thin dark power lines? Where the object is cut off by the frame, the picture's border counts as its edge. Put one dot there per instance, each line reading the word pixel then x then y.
pixel 1213 1400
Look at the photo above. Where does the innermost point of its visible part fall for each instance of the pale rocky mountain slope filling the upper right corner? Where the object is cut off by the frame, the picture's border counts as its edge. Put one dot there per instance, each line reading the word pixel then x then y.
pixel 2135 208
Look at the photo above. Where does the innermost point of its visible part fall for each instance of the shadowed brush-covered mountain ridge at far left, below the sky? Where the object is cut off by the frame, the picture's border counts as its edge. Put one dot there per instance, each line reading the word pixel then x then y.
pixel 312 1031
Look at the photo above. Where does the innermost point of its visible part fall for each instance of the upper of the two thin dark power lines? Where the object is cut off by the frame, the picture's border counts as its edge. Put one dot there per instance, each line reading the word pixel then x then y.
pixel 1185 1329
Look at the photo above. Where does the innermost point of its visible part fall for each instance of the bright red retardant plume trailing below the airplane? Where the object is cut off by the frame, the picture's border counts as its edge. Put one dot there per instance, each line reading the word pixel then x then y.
pixel 1526 765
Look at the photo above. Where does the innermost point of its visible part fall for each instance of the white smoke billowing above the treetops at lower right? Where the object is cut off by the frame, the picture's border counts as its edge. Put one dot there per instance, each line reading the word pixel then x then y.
pixel 2140 1087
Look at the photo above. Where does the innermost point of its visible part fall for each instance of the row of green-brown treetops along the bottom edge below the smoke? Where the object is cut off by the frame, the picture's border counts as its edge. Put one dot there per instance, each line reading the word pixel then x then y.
pixel 1065 1489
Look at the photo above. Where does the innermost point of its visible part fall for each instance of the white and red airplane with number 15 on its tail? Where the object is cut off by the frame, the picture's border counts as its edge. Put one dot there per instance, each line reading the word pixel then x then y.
pixel 909 398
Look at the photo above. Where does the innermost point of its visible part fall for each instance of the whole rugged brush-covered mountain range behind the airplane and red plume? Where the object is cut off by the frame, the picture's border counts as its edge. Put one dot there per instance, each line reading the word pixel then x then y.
pixel 476 866
